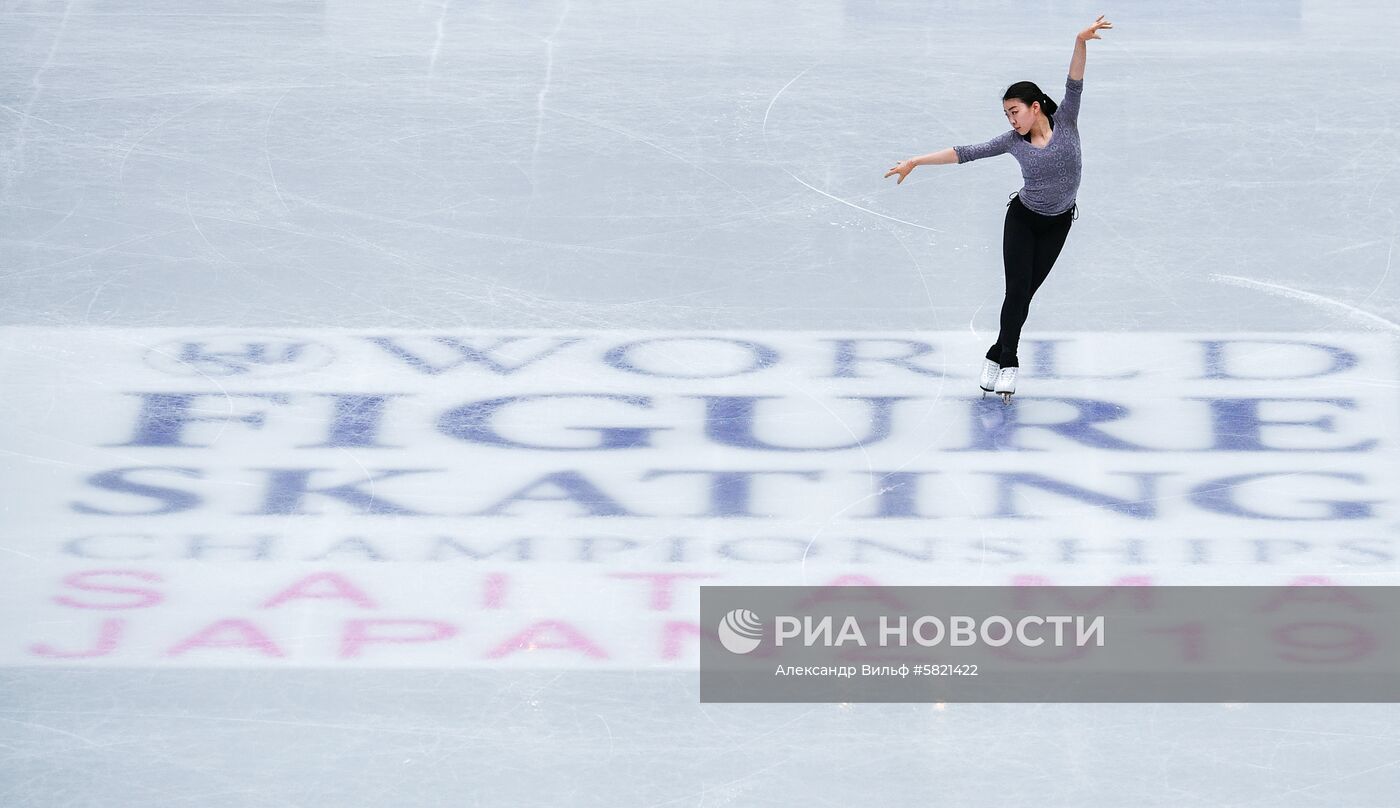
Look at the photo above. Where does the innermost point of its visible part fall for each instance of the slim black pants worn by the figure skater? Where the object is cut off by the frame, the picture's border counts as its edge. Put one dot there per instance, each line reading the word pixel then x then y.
pixel 1030 246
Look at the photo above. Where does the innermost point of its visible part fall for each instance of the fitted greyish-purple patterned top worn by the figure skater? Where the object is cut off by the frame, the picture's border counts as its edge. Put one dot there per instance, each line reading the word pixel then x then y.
pixel 1051 174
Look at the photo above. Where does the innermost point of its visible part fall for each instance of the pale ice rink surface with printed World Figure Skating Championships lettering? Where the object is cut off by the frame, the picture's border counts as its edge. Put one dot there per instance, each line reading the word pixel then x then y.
pixel 660 215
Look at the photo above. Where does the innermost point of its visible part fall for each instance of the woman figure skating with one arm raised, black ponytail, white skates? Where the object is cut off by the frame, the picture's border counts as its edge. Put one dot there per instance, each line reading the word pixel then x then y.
pixel 1045 141
